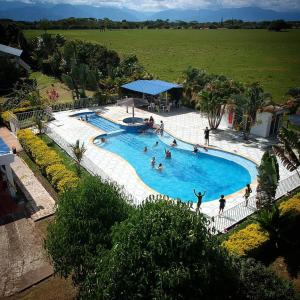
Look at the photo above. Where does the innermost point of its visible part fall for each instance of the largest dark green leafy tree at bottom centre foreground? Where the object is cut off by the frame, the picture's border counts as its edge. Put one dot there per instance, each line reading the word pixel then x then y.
pixel 163 251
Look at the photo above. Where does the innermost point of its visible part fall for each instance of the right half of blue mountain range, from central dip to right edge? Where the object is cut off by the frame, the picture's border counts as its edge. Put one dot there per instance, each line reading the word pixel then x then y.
pixel 243 13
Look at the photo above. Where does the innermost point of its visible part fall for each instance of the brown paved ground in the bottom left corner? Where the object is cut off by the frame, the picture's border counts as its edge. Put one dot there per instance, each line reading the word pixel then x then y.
pixel 23 261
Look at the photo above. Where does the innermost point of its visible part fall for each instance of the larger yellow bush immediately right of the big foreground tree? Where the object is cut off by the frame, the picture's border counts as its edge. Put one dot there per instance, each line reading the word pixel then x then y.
pixel 247 241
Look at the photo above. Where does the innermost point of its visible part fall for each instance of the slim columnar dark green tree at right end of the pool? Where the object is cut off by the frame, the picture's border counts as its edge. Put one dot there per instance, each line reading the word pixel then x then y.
pixel 268 178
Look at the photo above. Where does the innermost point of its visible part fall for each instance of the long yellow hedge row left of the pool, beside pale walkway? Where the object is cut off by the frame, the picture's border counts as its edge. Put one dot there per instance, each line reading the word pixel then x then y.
pixel 48 161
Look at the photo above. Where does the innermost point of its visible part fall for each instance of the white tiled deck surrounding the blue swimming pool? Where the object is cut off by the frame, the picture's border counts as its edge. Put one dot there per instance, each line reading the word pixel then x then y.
pixel 184 124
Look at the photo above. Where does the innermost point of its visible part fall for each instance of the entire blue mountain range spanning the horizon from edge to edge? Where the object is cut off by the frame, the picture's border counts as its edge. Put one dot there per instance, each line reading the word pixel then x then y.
pixel 41 10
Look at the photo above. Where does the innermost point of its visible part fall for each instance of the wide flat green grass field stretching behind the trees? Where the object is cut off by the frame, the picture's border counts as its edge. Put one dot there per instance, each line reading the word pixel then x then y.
pixel 271 58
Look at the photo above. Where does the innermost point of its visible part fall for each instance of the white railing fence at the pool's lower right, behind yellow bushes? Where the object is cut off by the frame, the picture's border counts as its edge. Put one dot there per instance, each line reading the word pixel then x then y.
pixel 240 211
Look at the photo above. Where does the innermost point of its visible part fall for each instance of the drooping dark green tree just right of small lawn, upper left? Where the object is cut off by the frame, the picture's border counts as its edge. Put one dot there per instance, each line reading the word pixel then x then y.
pixel 79 78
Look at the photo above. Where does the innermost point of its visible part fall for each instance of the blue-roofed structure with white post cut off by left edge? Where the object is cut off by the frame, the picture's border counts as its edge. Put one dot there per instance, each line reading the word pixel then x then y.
pixel 6 158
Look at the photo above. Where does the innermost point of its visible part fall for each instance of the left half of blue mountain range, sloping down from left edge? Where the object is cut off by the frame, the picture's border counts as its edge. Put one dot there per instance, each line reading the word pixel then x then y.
pixel 20 11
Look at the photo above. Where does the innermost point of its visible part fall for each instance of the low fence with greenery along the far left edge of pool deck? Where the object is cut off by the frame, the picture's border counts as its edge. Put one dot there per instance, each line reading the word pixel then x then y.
pixel 27 119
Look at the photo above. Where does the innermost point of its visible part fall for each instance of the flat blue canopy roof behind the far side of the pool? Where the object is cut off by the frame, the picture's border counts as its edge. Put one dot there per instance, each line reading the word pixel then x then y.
pixel 151 87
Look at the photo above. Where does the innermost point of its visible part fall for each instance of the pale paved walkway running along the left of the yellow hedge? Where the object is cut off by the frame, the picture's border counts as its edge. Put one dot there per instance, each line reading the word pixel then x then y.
pixel 40 204
